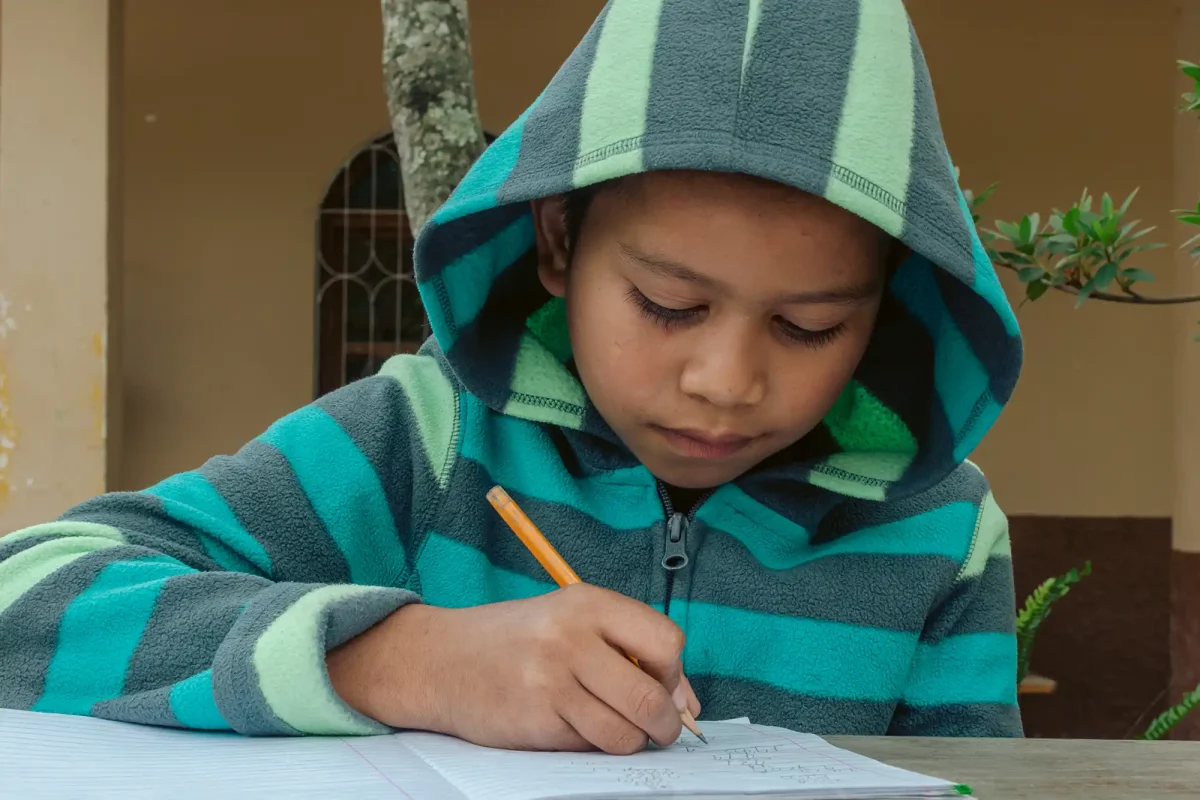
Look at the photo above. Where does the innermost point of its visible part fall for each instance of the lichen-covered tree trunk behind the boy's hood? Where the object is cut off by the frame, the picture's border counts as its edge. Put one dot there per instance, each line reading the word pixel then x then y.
pixel 429 79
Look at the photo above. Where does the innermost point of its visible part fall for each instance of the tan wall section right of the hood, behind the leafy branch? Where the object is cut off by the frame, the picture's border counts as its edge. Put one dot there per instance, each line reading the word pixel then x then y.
pixel 1090 430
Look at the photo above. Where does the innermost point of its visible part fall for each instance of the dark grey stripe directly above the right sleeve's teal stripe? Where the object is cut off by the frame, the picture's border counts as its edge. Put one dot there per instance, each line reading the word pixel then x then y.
pixel 980 605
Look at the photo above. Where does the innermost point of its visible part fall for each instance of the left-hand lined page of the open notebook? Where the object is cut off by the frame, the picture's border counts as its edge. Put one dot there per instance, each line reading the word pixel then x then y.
pixel 53 757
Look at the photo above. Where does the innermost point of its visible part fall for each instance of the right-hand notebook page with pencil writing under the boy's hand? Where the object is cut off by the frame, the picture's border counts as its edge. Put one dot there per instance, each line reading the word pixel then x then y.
pixel 740 760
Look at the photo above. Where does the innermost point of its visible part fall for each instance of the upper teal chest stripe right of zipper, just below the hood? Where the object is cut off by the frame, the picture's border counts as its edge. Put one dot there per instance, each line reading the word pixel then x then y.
pixel 779 544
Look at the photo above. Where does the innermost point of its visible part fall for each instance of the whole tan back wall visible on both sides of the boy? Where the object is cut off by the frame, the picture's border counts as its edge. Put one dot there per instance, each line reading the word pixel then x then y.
pixel 257 101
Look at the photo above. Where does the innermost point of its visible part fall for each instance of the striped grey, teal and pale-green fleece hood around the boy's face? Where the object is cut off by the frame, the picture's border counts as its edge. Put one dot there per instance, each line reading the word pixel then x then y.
pixel 830 97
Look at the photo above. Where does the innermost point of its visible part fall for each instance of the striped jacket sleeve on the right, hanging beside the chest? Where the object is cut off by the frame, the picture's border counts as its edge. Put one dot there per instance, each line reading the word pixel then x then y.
pixel 963 681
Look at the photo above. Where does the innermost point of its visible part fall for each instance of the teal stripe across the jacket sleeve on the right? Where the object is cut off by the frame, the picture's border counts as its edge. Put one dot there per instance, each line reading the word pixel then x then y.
pixel 969 669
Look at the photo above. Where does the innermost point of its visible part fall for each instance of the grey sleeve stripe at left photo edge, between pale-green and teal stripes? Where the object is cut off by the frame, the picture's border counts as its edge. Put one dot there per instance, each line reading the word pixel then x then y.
pixel 29 629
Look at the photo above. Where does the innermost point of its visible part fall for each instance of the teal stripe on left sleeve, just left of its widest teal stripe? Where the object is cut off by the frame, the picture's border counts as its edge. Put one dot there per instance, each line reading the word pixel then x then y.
pixel 190 500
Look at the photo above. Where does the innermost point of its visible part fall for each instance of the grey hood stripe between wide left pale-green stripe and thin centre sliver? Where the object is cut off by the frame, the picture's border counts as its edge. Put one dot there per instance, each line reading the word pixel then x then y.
pixel 695 80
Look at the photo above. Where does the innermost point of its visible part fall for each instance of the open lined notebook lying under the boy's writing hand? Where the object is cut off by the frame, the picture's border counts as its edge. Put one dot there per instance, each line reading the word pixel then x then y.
pixel 53 757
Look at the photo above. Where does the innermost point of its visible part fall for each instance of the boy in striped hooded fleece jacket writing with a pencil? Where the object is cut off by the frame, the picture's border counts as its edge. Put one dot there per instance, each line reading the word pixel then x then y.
pixel 715 314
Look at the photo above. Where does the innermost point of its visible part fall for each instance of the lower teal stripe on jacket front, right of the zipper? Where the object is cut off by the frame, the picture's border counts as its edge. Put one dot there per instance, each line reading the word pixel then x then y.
pixel 803 655
